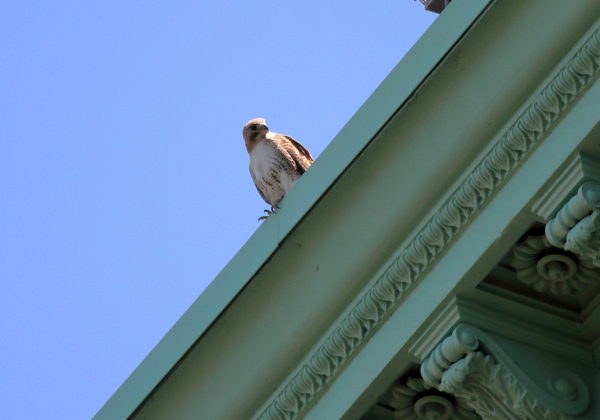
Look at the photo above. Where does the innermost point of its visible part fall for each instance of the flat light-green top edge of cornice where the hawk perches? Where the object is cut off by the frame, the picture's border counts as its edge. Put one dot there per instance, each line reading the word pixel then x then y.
pixel 393 92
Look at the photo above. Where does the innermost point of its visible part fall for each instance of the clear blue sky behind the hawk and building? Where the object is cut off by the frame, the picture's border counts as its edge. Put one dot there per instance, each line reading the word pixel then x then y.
pixel 124 179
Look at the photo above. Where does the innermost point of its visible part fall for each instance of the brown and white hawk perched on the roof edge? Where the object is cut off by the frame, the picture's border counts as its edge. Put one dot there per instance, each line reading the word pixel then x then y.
pixel 276 161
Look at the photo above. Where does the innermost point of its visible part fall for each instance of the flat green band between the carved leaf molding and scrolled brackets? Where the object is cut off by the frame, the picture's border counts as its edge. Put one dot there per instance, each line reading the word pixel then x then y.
pixel 465 264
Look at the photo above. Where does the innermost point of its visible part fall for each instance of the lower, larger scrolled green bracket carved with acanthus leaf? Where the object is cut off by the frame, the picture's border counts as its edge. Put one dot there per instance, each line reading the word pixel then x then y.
pixel 502 386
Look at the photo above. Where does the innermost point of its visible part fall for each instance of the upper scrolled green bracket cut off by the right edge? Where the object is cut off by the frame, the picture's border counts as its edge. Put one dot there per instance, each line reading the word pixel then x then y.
pixel 576 226
